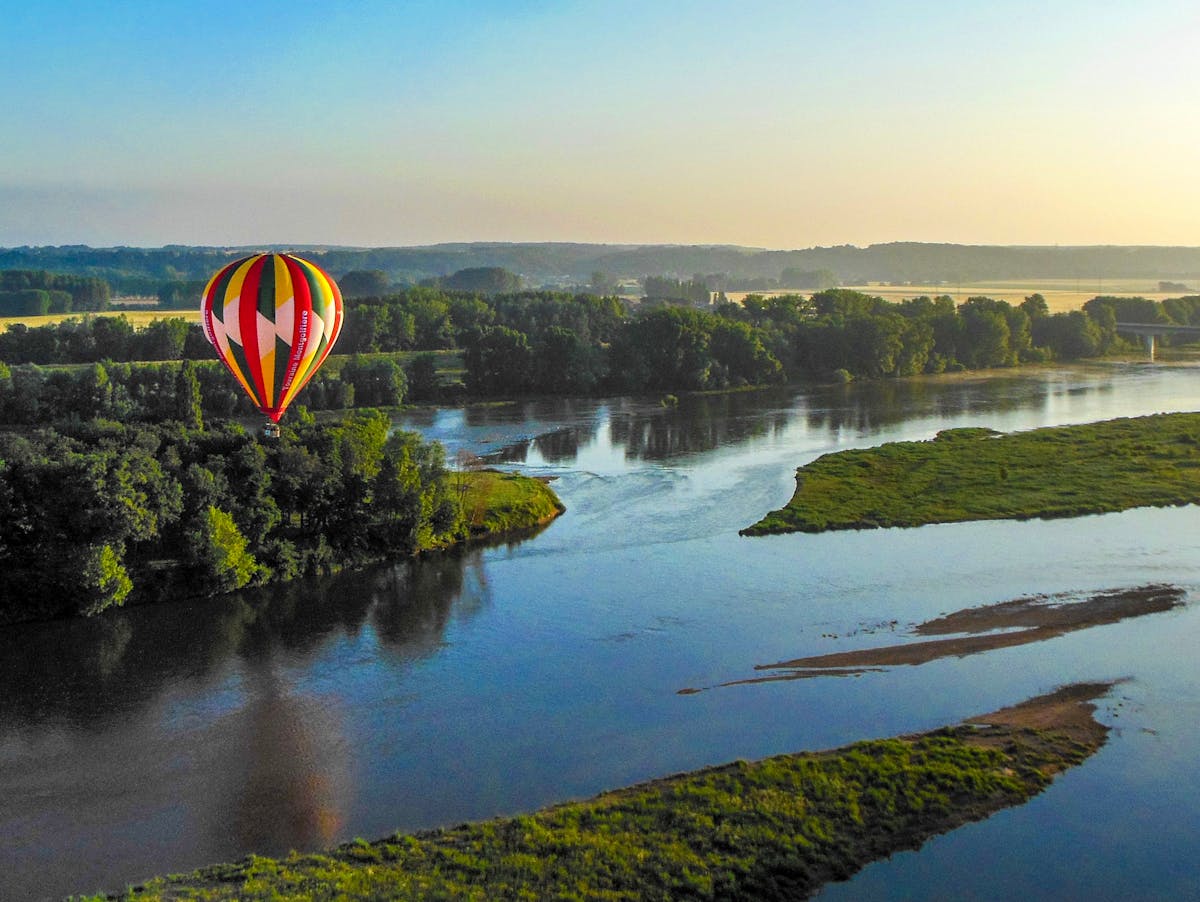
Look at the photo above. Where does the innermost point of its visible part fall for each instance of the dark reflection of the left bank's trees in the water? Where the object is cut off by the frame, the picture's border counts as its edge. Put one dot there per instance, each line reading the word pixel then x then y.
pixel 93 675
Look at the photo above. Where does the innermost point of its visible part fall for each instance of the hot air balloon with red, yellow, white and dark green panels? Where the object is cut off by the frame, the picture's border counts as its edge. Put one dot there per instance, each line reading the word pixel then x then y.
pixel 273 318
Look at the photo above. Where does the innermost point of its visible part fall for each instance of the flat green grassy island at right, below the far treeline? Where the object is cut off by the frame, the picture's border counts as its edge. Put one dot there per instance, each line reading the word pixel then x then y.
pixel 980 474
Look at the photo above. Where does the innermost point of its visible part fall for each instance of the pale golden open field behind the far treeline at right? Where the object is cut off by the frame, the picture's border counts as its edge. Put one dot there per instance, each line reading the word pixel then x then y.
pixel 1061 294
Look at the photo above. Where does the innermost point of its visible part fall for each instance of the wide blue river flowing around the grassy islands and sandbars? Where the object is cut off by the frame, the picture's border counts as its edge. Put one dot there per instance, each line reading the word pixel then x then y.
pixel 501 679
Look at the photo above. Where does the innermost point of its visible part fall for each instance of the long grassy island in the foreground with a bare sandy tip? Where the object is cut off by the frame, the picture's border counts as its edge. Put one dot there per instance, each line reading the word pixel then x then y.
pixel 779 828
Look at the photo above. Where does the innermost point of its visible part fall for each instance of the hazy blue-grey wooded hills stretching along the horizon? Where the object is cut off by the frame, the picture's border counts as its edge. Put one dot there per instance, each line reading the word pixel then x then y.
pixel 549 264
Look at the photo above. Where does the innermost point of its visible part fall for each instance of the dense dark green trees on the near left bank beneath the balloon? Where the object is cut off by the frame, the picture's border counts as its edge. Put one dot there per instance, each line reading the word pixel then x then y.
pixel 99 512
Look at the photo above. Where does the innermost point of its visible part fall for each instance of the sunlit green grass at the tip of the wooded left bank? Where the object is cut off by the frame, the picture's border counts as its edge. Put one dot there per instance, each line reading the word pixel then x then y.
pixel 500 503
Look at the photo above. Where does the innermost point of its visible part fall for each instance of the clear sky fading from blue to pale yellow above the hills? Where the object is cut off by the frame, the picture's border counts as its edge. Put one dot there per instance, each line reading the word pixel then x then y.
pixel 782 125
